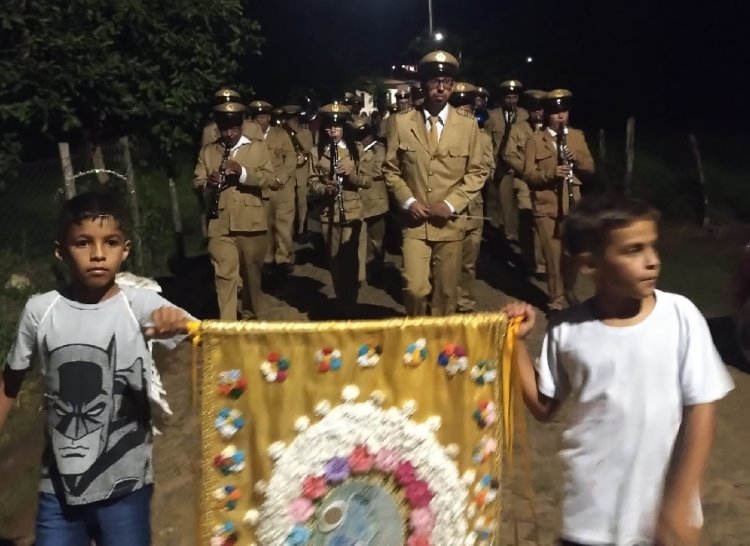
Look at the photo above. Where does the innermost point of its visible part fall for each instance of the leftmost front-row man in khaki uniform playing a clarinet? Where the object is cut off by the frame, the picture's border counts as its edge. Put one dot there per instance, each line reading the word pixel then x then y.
pixel 237 232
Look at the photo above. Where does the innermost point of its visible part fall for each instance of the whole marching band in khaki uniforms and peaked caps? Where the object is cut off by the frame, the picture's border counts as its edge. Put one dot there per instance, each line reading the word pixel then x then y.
pixel 423 169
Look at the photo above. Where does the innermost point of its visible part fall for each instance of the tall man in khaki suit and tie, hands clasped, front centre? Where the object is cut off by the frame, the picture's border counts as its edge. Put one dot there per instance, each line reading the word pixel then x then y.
pixel 434 168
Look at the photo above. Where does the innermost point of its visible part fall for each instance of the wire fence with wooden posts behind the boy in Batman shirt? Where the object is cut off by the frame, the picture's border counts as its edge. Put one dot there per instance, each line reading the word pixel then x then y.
pixel 30 202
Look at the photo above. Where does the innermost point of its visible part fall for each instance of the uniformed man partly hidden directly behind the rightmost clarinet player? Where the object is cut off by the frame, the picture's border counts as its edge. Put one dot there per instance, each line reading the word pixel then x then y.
pixel 514 156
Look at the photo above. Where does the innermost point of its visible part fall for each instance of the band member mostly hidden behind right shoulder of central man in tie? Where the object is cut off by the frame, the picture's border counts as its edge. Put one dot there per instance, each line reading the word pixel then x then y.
pixel 463 99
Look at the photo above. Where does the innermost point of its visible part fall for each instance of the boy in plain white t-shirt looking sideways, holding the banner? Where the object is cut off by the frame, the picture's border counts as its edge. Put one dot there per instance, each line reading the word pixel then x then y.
pixel 641 373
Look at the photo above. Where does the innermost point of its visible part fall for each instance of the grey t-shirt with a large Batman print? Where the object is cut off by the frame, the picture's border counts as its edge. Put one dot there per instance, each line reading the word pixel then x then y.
pixel 96 369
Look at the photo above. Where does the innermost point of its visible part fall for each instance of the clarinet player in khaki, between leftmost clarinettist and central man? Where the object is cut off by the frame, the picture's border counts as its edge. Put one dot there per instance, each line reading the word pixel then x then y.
pixel 336 176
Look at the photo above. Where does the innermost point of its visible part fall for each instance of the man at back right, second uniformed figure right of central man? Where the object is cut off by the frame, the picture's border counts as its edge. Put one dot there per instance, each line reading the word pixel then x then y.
pixel 499 125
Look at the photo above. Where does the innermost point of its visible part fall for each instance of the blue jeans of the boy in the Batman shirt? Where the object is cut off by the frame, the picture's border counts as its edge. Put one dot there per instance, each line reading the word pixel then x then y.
pixel 124 521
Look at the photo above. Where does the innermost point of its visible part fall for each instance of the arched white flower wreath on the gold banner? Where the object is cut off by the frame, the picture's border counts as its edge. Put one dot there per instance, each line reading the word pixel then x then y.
pixel 351 424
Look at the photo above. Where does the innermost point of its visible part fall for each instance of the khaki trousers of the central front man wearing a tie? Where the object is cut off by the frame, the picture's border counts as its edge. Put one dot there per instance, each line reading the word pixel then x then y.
pixel 443 260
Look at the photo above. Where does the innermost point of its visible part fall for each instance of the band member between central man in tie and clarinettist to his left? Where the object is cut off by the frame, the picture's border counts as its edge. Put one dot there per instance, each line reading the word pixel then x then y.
pixel 374 199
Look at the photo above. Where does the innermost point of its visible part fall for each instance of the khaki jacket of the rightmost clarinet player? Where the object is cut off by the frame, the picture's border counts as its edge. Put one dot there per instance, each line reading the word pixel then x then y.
pixel 539 172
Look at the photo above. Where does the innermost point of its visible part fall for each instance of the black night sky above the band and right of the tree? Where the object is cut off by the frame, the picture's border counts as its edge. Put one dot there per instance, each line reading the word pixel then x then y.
pixel 673 63
